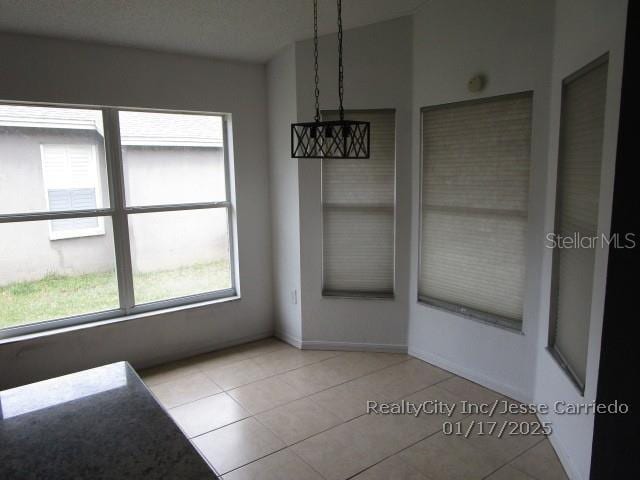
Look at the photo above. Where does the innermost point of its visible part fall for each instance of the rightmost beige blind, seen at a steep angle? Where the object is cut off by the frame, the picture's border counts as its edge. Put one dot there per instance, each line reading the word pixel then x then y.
pixel 579 164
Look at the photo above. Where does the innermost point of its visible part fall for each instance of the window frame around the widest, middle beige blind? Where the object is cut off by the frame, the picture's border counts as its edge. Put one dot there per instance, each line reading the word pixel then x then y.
pixel 462 311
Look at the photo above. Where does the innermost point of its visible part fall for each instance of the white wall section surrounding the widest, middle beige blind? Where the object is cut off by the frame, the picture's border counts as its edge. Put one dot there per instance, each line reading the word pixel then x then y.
pixel 510 42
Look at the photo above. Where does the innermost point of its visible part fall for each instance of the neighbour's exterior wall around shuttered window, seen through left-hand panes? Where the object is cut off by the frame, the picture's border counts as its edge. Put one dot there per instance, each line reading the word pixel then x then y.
pixel 26 251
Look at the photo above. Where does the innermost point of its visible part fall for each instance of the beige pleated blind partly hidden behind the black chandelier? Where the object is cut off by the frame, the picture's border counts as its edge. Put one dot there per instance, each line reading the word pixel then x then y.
pixel 358 198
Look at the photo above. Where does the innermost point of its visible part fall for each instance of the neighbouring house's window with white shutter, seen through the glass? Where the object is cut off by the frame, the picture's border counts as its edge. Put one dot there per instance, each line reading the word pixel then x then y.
pixel 71 182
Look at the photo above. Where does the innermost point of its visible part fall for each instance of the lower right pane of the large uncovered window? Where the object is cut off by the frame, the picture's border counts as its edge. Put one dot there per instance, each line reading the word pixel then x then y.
pixel 175 254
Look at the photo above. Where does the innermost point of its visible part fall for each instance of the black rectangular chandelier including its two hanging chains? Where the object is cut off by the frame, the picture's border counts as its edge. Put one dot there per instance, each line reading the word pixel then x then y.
pixel 329 139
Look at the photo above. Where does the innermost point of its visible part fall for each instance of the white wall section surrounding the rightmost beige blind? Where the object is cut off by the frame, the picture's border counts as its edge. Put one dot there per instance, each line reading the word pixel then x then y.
pixel 584 30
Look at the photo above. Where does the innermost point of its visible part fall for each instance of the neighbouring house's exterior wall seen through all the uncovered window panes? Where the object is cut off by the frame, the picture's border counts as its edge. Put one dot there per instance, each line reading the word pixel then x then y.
pixel 159 241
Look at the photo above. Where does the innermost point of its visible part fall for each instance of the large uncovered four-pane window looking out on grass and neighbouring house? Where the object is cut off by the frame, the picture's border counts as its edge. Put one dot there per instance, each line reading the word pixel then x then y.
pixel 107 212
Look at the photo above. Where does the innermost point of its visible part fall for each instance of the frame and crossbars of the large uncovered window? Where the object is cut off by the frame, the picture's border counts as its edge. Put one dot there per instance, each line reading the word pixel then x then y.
pixel 119 212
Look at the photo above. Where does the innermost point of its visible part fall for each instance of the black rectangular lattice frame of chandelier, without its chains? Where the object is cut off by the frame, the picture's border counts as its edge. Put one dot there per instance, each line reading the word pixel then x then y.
pixel 330 139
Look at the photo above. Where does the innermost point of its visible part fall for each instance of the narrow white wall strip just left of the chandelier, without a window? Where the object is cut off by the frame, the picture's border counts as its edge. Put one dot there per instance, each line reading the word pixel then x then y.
pixel 281 83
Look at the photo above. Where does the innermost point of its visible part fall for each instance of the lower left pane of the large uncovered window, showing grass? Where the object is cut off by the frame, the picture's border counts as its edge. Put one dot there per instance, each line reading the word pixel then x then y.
pixel 46 279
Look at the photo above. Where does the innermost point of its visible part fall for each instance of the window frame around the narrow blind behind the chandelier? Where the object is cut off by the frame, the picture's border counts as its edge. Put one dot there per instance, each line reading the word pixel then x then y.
pixel 364 295
